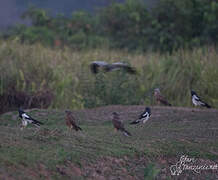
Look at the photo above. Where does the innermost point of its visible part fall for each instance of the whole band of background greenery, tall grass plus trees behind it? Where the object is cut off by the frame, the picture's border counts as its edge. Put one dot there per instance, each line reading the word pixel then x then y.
pixel 173 46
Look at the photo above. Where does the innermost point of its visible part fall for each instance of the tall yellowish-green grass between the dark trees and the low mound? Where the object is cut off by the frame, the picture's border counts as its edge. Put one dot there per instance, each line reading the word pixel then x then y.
pixel 66 74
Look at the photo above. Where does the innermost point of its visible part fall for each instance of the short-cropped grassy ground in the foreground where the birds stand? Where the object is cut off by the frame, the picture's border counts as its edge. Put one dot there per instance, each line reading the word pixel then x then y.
pixel 98 152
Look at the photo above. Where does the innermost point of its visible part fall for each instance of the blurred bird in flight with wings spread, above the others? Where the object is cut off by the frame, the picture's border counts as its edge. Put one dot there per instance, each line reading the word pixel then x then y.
pixel 96 65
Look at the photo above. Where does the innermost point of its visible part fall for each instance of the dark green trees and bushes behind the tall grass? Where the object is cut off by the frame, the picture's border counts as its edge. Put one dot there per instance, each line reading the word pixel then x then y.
pixel 169 26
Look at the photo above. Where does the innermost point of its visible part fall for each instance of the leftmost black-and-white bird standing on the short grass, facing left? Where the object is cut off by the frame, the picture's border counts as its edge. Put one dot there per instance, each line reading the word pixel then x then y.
pixel 26 119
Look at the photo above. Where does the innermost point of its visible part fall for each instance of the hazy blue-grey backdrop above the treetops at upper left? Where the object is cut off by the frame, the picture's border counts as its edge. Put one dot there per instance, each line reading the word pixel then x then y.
pixel 11 10
